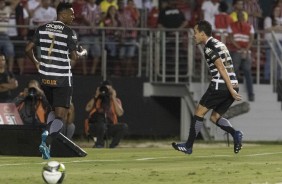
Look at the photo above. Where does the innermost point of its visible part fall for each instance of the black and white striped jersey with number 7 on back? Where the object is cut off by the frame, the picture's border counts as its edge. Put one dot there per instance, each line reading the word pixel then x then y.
pixel 55 41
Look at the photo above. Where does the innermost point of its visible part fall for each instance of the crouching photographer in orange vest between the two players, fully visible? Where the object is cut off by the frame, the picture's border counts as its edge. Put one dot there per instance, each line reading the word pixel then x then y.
pixel 104 109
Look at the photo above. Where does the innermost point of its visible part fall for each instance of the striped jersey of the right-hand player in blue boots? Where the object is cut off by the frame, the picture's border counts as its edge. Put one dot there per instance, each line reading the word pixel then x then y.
pixel 213 50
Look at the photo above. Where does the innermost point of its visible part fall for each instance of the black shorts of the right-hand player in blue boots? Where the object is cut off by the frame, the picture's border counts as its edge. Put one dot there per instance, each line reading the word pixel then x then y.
pixel 218 100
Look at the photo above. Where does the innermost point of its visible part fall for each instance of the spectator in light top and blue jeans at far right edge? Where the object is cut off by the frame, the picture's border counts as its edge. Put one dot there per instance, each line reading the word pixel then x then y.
pixel 273 24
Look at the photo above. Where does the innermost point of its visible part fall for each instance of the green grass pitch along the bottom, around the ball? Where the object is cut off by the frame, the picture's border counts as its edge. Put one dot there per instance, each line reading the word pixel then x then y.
pixel 209 163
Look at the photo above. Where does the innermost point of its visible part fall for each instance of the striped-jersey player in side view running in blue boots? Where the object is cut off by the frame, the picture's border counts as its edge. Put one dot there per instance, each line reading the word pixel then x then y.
pixel 221 93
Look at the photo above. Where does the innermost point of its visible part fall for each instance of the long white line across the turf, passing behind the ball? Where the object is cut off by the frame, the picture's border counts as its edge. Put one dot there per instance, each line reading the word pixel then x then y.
pixel 141 159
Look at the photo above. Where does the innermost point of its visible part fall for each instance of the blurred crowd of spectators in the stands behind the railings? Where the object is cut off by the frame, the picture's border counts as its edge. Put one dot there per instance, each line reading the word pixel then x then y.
pixel 128 14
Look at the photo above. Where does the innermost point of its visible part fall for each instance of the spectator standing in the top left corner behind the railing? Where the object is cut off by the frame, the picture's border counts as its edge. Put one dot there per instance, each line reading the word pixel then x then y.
pixel 6 46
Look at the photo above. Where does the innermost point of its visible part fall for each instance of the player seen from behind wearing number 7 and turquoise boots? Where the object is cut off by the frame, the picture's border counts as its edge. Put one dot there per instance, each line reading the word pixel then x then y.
pixel 58 49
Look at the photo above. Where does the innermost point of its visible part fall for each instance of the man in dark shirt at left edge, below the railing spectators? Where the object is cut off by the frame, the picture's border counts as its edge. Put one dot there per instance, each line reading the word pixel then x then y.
pixel 7 82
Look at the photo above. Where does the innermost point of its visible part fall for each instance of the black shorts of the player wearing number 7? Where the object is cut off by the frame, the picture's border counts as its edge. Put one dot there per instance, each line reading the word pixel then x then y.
pixel 58 96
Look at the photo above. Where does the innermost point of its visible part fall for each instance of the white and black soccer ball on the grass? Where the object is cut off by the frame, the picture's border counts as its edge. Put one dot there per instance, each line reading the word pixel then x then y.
pixel 53 172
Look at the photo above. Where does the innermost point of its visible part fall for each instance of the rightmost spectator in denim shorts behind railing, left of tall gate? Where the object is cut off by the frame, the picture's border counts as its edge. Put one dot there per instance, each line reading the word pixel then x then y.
pixel 127 42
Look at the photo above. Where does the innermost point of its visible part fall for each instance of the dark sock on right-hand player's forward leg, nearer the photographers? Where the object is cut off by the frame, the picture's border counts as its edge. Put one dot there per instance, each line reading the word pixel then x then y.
pixel 195 128
